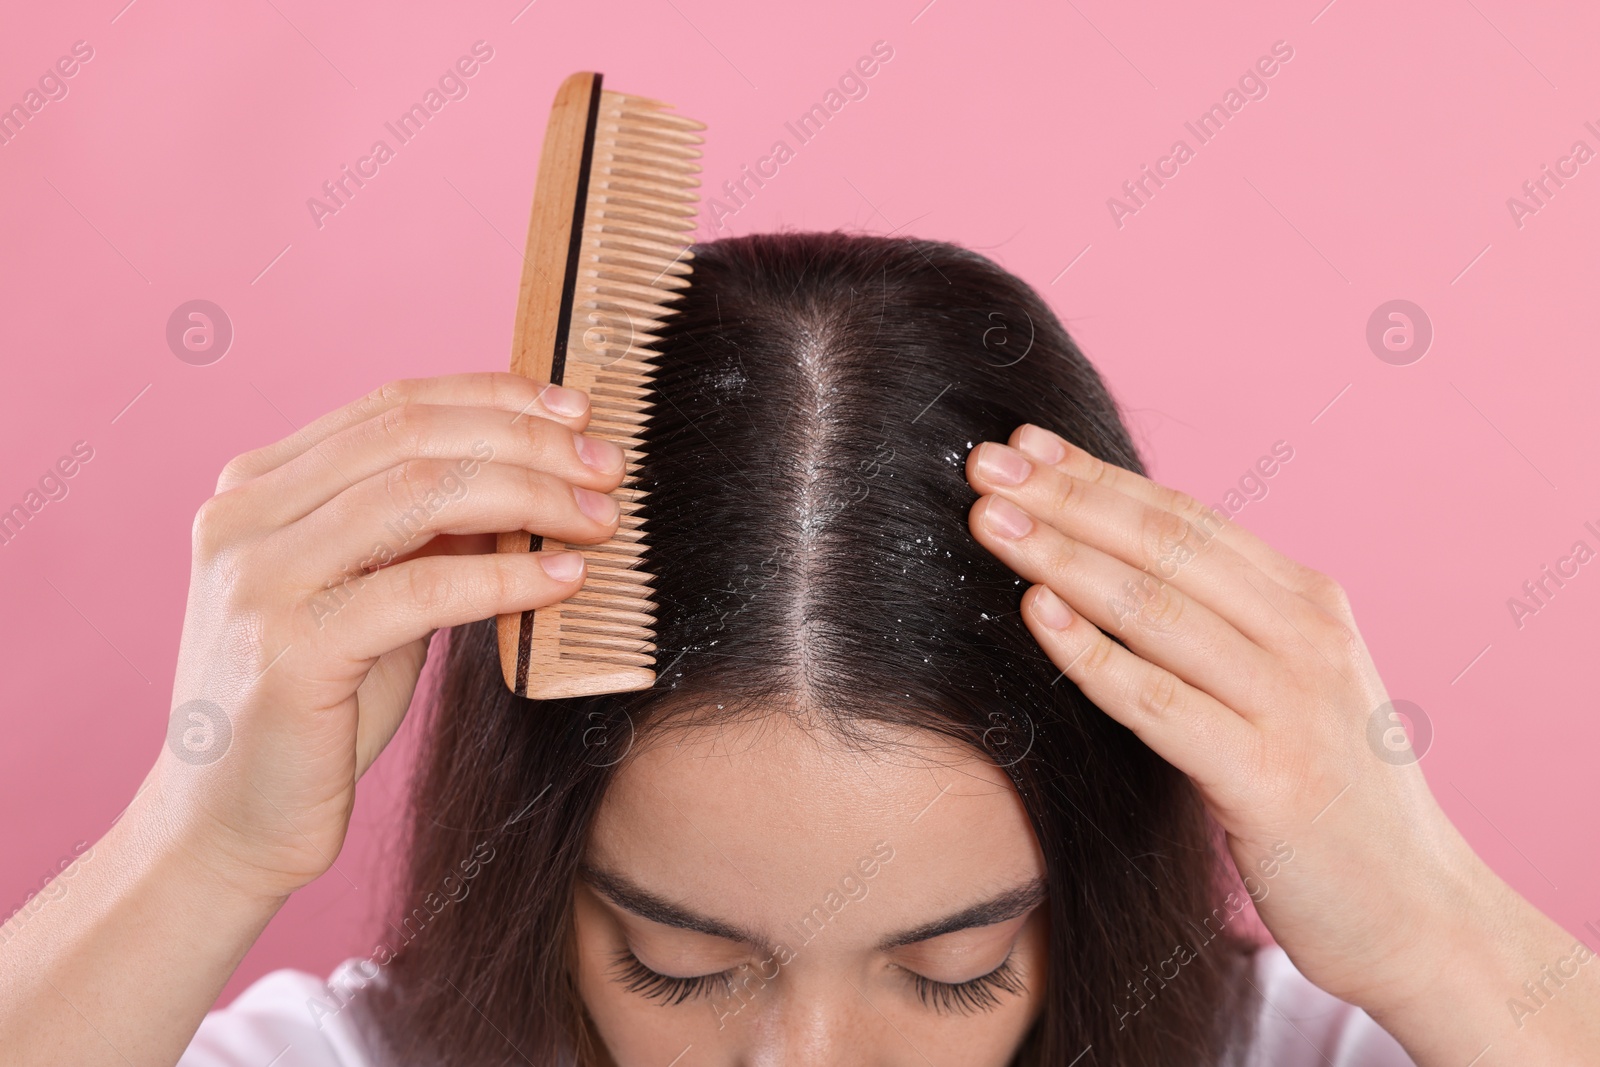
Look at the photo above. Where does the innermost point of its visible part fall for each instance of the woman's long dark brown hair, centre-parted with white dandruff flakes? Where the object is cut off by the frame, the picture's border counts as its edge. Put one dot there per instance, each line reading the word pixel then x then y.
pixel 818 396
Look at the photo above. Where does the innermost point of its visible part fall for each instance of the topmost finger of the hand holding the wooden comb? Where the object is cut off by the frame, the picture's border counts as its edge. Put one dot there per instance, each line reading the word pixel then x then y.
pixel 502 391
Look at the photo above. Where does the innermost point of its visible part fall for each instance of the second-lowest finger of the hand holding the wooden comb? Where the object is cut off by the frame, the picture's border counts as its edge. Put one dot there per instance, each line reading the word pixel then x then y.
pixel 399 511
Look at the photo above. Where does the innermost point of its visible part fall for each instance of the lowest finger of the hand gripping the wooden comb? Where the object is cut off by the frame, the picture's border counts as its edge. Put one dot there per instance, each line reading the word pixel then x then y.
pixel 402 604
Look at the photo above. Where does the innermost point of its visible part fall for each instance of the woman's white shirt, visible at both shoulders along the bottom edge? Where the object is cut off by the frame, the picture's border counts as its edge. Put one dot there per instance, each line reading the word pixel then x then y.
pixel 276 1021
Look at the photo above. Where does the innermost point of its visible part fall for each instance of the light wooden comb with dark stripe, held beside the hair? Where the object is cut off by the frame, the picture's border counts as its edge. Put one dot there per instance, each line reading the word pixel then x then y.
pixel 609 246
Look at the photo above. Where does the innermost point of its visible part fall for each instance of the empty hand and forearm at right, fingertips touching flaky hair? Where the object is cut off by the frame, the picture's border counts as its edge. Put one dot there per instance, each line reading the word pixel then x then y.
pixel 1247 673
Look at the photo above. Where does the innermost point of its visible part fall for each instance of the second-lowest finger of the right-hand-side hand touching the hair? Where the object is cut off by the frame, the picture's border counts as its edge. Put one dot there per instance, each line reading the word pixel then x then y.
pixel 1158 621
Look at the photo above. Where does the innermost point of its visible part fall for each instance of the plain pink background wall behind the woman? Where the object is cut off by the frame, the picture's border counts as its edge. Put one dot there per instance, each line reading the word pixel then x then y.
pixel 1230 314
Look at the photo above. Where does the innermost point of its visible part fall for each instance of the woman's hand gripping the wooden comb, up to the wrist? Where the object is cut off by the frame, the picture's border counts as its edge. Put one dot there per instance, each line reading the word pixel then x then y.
pixel 298 660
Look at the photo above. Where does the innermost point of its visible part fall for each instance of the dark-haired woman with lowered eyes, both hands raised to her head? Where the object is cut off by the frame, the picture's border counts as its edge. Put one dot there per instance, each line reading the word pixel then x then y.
pixel 961 753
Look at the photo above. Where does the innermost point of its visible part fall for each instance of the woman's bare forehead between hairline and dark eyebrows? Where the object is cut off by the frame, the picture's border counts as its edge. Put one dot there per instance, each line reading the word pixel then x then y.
pixel 758 821
